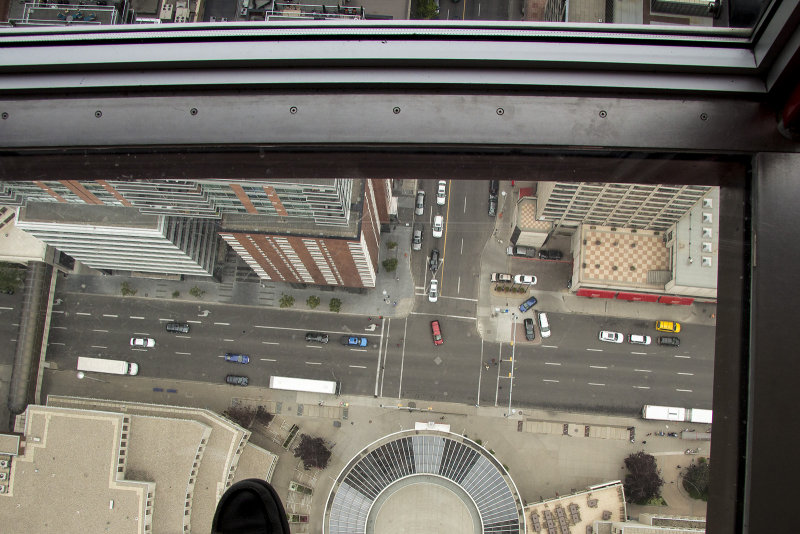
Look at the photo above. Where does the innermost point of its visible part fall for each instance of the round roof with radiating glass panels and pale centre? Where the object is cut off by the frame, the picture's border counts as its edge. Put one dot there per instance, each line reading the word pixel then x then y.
pixel 424 481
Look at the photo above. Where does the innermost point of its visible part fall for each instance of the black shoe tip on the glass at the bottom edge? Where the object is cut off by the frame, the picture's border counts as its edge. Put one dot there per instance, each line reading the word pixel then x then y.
pixel 250 507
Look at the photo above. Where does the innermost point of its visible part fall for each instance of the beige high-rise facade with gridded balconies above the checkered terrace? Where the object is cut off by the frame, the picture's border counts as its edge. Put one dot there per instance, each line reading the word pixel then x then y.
pixel 642 206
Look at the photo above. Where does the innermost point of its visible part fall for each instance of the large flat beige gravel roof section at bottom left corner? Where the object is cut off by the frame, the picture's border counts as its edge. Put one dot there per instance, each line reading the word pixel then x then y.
pixel 67 479
